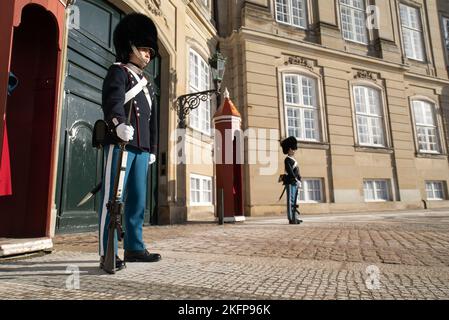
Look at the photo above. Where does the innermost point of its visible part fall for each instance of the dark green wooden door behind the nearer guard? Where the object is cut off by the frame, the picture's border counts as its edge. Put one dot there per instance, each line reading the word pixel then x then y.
pixel 90 54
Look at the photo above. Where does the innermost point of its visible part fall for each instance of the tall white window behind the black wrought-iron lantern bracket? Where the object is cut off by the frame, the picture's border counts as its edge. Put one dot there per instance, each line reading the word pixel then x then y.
pixel 199 80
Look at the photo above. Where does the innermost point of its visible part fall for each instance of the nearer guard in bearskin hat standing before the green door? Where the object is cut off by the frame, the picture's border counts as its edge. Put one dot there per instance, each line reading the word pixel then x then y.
pixel 126 92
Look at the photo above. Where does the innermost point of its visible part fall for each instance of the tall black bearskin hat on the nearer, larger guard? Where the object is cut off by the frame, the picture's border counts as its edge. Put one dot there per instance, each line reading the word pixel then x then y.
pixel 134 29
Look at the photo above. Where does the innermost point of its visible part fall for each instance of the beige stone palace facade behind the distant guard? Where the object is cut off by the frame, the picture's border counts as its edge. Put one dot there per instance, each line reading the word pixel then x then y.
pixel 363 86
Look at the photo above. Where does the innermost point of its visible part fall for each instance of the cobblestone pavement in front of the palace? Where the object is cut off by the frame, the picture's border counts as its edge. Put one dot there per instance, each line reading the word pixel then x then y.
pixel 386 255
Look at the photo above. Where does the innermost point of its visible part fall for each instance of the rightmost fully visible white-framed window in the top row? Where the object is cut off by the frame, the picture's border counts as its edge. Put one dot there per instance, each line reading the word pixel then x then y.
pixel 411 31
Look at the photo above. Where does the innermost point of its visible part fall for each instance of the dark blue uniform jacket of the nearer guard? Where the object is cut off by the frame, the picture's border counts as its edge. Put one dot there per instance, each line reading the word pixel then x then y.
pixel 143 117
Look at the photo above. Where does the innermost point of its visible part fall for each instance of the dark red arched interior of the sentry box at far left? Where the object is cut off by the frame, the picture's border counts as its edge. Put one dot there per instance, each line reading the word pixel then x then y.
pixel 30 114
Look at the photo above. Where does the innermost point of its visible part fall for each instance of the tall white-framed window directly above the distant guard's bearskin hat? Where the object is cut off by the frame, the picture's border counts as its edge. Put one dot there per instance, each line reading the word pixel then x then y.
pixel 300 107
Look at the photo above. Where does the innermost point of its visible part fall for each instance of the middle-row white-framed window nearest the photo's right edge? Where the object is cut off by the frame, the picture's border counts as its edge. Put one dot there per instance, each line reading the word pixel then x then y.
pixel 426 126
